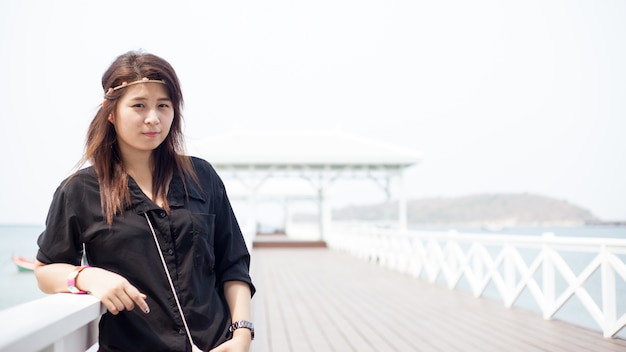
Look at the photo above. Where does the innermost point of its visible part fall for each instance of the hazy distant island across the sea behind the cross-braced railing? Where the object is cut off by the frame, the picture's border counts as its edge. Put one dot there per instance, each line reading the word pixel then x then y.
pixel 480 210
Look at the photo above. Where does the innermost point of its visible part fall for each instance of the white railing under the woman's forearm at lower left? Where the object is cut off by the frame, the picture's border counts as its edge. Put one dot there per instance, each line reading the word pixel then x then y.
pixel 57 323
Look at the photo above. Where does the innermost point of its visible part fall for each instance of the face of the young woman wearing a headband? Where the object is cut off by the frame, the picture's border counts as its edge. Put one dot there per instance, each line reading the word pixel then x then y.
pixel 143 118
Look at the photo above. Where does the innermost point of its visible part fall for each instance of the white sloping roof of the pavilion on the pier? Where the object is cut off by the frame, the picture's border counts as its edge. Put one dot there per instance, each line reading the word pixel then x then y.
pixel 311 149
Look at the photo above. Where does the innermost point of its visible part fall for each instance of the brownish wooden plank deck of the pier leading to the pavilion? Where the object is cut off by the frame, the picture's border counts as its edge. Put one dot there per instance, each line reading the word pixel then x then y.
pixel 316 299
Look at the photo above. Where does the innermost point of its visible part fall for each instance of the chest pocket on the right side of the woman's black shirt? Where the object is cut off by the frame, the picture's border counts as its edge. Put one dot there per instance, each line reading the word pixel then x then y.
pixel 203 241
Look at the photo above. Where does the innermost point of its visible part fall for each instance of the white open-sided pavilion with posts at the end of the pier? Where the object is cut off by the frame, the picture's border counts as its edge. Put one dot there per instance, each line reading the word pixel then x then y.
pixel 258 165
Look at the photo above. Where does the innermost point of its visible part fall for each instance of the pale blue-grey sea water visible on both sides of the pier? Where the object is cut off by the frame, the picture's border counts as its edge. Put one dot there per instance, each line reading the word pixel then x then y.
pixel 20 287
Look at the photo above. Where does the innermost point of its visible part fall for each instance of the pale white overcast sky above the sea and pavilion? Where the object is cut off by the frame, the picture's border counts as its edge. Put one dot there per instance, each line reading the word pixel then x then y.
pixel 500 96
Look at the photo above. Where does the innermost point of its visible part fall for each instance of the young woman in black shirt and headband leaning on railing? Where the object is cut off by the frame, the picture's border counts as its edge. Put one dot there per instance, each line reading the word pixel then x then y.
pixel 165 254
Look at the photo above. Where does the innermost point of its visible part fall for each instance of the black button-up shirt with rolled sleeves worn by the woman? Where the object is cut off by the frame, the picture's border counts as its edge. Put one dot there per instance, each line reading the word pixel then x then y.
pixel 200 240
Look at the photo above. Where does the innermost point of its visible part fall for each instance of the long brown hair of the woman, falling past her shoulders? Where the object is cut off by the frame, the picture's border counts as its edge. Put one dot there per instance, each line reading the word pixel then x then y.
pixel 102 150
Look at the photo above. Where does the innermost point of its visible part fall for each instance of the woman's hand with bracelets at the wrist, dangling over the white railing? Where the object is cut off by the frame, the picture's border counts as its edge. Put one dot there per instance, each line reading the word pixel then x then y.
pixel 113 290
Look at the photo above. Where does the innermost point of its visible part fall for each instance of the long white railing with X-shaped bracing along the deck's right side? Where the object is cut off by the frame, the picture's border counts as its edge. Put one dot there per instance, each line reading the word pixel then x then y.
pixel 511 263
